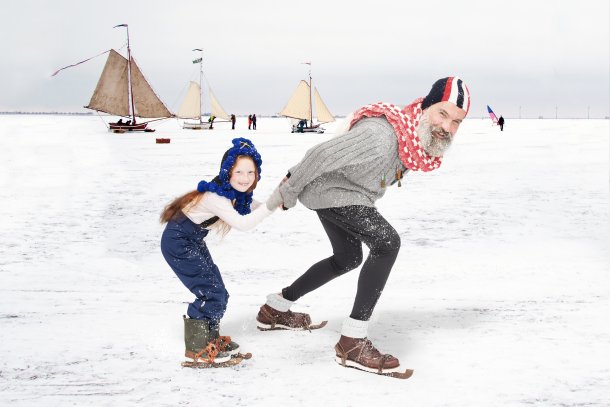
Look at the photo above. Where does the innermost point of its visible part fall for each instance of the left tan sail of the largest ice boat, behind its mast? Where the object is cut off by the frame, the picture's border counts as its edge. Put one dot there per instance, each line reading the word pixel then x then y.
pixel 111 93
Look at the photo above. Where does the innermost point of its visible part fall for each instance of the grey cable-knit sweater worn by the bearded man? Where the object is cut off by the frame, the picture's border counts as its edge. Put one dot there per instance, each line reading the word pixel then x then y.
pixel 346 170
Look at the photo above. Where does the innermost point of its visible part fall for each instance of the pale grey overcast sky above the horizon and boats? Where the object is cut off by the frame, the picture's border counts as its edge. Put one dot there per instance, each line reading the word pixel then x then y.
pixel 519 55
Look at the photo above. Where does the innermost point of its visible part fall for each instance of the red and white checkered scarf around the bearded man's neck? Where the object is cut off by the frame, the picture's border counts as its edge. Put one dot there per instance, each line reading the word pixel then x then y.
pixel 405 123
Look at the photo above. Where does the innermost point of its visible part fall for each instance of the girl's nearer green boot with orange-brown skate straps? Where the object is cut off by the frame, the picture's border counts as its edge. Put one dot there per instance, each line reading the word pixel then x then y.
pixel 200 344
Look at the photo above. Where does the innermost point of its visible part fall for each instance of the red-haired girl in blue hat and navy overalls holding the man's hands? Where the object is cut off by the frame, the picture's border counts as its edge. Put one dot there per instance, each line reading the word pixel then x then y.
pixel 222 204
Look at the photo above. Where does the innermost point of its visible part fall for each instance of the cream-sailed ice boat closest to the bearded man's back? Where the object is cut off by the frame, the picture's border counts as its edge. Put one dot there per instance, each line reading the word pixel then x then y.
pixel 300 108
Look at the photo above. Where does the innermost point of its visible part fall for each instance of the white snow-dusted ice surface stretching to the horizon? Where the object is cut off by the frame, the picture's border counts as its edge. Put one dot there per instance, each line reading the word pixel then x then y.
pixel 499 297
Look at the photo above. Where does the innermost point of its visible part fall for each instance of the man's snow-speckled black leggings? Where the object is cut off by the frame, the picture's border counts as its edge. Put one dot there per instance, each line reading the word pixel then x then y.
pixel 347 228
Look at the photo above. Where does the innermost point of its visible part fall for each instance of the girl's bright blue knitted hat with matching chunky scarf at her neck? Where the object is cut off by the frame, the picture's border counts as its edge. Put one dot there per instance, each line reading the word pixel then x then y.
pixel 220 184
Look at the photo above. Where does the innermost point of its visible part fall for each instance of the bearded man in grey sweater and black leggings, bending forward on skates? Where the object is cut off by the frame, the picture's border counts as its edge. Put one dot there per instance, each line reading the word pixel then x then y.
pixel 341 179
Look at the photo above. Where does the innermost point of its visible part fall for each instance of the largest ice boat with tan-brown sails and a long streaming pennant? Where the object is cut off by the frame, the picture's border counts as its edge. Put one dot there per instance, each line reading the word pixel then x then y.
pixel 122 90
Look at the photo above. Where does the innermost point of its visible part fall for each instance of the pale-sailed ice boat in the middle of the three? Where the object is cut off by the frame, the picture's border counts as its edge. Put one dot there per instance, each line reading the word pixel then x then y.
pixel 192 104
